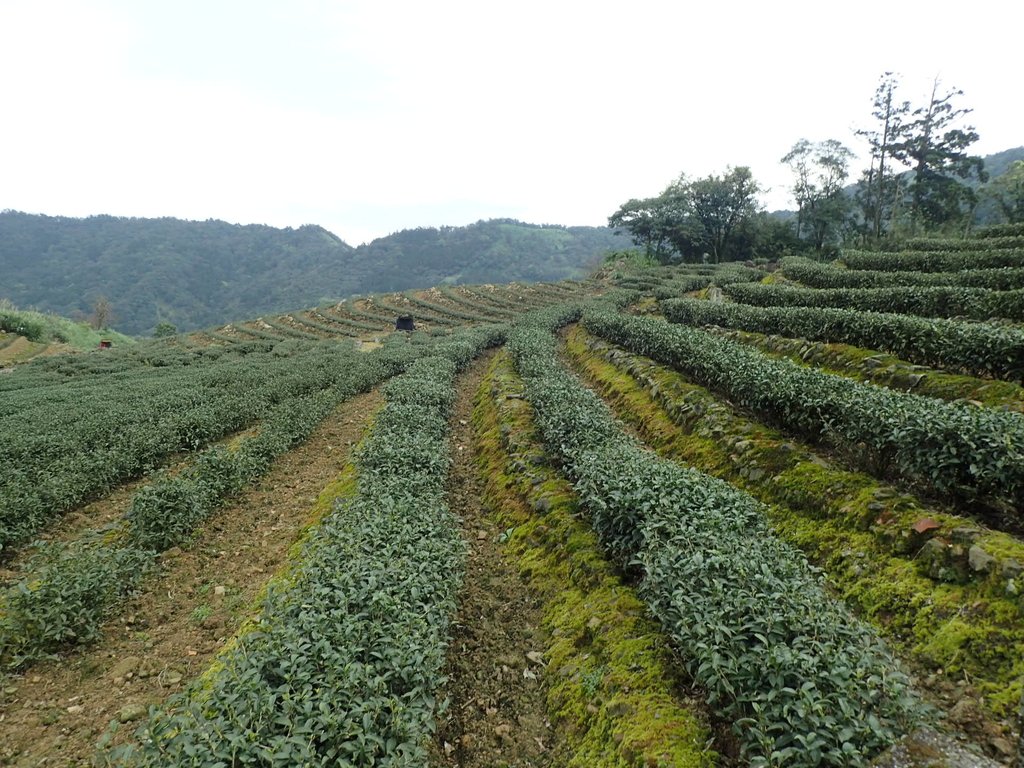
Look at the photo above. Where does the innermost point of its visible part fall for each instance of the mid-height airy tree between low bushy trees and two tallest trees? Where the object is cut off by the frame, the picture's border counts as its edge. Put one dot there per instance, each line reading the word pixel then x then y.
pixel 821 169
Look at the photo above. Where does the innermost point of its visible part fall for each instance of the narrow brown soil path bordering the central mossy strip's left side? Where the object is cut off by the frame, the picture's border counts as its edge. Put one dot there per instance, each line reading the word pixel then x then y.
pixel 497 714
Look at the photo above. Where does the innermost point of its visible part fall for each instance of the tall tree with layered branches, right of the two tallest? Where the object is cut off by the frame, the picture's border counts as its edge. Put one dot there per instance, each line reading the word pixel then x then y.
pixel 938 154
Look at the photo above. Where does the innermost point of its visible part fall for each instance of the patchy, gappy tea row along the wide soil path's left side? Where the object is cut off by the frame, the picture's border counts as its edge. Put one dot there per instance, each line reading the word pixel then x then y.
pixel 70 591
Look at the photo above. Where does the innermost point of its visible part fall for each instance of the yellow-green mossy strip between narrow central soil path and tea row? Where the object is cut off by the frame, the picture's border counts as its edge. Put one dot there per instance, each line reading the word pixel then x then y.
pixel 614 688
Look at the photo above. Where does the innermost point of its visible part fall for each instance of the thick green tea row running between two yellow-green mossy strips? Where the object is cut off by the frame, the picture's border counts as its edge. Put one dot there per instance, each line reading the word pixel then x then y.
pixel 803 681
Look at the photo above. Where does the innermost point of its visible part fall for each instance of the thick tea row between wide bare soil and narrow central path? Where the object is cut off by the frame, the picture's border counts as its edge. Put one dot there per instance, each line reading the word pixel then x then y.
pixel 344 664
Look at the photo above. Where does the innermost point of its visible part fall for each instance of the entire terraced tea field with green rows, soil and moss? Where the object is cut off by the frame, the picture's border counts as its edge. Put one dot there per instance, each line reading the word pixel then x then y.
pixel 682 517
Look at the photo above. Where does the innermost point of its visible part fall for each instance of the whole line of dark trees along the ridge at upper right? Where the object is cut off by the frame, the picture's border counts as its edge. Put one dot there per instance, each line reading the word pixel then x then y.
pixel 922 179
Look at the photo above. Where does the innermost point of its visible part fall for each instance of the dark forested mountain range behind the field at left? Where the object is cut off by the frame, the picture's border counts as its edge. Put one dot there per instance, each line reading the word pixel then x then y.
pixel 200 274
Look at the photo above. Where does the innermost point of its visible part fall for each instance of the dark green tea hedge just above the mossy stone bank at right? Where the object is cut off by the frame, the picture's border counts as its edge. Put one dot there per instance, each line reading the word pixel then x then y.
pixel 951 449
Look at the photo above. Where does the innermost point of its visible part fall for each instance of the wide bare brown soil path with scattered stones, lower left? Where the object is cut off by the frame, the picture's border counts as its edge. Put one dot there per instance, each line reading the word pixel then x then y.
pixel 55 713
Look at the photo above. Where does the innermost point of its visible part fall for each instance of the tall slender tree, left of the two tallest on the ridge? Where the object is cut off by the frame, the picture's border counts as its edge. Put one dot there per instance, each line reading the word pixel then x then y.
pixel 880 190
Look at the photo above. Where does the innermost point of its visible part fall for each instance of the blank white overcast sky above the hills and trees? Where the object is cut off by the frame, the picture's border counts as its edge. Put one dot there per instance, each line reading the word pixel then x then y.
pixel 373 116
